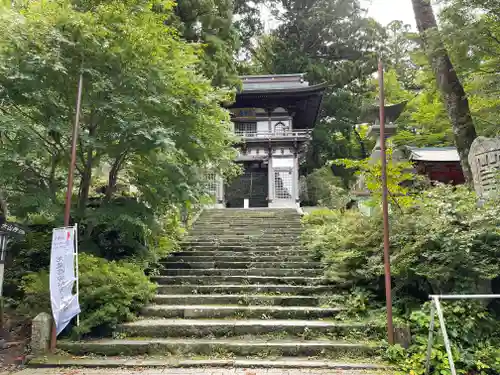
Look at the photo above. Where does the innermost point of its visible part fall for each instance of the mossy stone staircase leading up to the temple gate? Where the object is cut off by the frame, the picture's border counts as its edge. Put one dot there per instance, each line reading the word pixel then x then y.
pixel 242 288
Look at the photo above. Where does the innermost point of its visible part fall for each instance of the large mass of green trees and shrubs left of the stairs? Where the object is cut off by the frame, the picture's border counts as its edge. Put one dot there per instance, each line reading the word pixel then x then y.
pixel 151 126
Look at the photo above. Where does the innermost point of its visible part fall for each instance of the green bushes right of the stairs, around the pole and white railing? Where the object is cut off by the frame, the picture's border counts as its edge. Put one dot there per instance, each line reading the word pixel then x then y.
pixel 444 243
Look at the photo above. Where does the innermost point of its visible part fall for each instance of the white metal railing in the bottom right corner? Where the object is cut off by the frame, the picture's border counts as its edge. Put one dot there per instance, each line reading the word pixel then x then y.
pixel 436 307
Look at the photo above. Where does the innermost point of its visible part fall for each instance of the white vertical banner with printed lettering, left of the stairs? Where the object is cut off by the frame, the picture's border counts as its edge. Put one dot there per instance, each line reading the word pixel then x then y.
pixel 65 305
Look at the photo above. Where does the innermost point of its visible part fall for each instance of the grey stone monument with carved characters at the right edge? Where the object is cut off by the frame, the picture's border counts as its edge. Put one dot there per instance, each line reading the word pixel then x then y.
pixel 484 159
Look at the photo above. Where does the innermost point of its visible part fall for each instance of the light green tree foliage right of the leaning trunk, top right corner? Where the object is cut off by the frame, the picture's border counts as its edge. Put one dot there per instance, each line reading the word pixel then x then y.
pixel 471 30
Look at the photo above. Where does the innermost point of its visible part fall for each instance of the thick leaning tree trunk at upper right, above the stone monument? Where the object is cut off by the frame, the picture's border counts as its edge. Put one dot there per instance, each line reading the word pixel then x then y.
pixel 448 82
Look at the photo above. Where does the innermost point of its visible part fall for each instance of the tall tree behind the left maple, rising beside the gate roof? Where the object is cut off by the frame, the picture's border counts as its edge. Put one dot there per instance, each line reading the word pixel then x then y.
pixel 222 28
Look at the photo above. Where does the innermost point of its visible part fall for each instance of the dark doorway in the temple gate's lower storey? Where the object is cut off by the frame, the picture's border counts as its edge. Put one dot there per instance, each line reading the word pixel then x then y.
pixel 252 185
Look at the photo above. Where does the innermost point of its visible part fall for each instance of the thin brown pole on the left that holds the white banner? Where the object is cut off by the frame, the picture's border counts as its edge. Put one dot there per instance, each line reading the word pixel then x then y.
pixel 71 172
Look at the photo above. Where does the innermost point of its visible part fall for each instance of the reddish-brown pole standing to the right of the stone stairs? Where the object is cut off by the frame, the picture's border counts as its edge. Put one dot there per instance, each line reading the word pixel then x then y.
pixel 385 208
